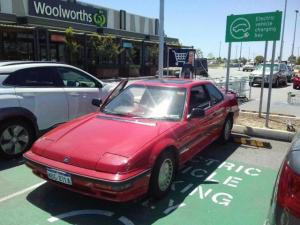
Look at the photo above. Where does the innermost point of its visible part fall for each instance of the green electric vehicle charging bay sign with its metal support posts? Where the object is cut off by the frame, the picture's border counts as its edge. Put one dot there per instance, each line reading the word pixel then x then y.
pixel 255 27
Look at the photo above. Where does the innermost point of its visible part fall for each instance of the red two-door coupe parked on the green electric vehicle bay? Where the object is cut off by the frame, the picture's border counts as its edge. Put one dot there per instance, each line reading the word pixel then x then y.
pixel 137 140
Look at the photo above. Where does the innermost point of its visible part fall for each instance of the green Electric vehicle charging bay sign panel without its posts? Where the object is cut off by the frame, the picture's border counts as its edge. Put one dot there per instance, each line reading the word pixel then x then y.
pixel 253 27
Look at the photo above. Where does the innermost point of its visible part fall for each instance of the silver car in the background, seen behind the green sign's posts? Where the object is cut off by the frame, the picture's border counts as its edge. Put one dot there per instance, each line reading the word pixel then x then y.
pixel 280 73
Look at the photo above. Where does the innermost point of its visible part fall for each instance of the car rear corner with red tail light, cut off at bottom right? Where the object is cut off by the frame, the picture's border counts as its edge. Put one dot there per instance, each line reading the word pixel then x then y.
pixel 285 203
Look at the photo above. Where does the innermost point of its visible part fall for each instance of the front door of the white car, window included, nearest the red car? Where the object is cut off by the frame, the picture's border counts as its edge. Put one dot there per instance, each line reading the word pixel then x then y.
pixel 80 89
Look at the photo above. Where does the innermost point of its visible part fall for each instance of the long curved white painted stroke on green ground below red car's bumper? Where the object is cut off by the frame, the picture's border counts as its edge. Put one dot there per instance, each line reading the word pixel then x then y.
pixel 78 213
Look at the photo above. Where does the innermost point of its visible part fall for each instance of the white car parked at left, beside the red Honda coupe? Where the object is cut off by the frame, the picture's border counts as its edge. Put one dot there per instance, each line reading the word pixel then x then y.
pixel 34 97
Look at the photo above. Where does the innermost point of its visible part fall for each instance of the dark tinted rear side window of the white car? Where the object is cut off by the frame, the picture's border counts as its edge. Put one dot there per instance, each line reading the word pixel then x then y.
pixel 35 77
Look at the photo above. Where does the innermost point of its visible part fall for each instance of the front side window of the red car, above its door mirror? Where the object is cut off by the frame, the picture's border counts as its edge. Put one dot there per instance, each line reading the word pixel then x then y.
pixel 198 98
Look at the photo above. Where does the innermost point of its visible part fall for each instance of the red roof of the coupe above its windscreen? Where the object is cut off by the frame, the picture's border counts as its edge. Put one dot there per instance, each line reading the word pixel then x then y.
pixel 180 83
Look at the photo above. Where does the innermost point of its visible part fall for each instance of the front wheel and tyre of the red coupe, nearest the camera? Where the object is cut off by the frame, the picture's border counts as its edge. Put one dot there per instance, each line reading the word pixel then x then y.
pixel 162 175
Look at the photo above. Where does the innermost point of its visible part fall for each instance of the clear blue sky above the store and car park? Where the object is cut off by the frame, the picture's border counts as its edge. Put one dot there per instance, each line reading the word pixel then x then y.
pixel 202 23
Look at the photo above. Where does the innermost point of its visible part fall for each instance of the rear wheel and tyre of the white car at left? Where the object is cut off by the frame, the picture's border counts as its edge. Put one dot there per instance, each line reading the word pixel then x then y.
pixel 16 136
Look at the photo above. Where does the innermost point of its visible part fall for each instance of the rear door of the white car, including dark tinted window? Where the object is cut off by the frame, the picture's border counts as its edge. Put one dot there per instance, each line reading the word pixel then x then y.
pixel 40 91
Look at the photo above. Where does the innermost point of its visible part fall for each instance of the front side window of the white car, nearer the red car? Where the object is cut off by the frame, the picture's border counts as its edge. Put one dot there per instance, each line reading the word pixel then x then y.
pixel 73 78
